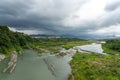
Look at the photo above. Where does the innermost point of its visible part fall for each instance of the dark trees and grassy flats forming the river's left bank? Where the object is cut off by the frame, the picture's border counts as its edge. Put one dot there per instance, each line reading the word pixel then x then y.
pixel 10 41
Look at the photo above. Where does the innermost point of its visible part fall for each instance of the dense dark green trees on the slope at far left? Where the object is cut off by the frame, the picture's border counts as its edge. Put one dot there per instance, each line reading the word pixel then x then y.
pixel 10 41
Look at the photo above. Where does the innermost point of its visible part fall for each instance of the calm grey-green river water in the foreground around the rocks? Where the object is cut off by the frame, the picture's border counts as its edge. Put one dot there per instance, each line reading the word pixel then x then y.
pixel 32 67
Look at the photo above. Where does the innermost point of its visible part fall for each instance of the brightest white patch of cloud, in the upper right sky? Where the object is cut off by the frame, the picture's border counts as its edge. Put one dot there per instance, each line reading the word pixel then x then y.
pixel 92 10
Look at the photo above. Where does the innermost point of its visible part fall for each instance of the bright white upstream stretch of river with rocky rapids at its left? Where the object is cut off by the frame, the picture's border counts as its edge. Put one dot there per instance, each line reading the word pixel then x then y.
pixel 89 48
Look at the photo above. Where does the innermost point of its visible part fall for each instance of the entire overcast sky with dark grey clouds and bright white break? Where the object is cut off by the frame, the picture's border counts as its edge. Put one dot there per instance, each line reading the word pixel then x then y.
pixel 80 18
